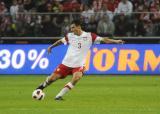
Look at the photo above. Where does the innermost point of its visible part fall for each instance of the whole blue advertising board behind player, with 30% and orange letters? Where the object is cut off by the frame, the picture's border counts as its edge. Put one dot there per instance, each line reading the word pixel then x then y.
pixel 101 59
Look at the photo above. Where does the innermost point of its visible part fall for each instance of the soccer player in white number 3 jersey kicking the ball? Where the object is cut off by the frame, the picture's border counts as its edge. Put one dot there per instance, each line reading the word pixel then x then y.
pixel 79 43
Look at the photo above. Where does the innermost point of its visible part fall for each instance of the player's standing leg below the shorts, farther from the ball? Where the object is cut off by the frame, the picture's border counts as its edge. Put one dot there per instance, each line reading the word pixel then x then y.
pixel 76 77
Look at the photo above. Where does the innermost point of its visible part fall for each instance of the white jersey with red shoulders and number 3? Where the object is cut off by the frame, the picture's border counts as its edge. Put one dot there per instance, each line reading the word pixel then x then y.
pixel 78 48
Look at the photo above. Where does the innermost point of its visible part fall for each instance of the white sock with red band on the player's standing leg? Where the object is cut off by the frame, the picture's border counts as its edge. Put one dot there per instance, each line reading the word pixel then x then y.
pixel 66 88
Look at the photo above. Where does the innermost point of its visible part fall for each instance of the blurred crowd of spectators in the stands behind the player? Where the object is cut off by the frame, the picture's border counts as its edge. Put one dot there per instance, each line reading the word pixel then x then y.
pixel 47 18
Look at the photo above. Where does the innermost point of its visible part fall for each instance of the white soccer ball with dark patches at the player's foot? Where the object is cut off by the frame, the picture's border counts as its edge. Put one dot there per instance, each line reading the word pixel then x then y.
pixel 38 94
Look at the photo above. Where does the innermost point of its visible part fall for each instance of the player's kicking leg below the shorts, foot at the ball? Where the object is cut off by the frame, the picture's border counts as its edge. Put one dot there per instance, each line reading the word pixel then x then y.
pixel 50 79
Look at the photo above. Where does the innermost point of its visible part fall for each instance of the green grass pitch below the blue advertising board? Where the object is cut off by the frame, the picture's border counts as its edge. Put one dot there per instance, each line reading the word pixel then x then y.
pixel 92 95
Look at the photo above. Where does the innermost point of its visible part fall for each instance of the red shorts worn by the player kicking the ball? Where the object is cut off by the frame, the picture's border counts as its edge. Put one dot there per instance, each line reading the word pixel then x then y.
pixel 65 70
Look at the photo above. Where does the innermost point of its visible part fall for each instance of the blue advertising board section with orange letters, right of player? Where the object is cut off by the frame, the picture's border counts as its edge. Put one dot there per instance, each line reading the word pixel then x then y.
pixel 124 59
